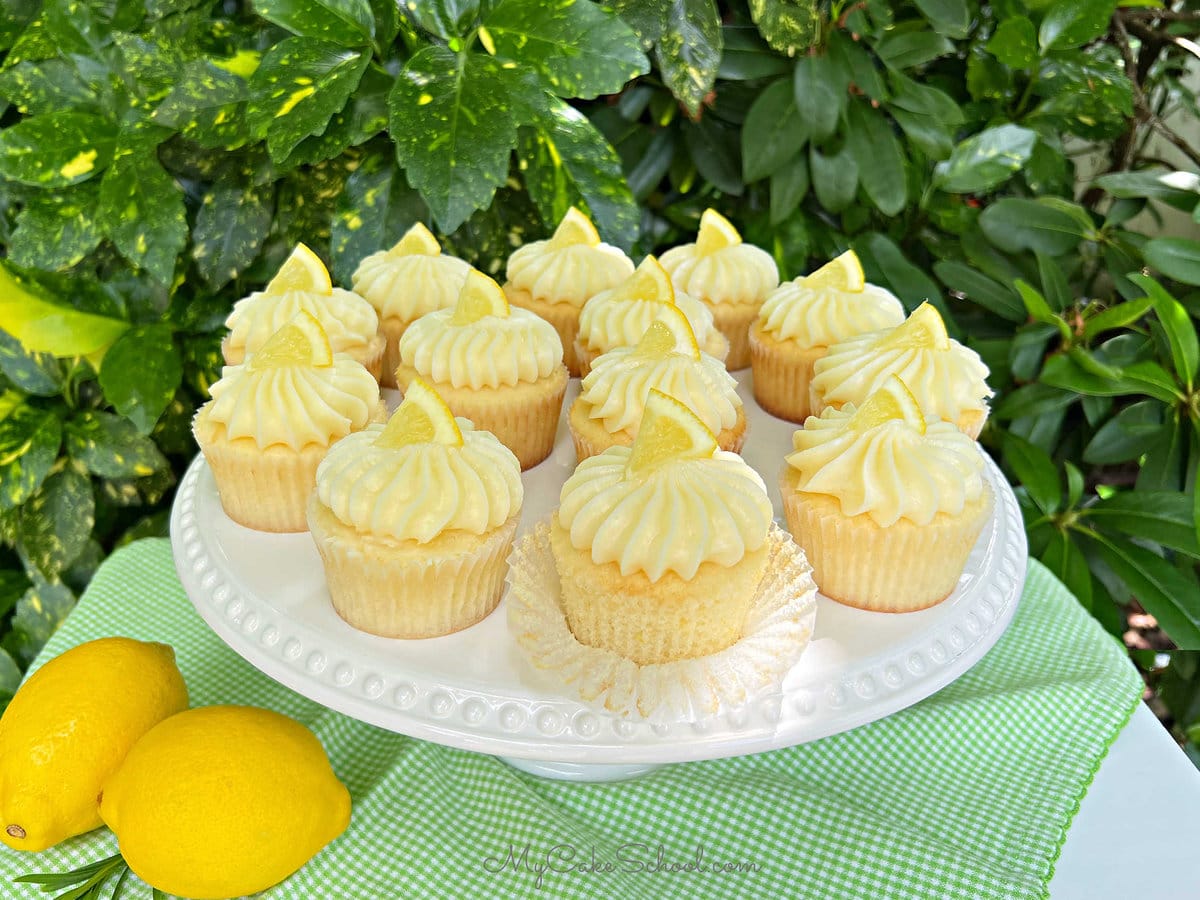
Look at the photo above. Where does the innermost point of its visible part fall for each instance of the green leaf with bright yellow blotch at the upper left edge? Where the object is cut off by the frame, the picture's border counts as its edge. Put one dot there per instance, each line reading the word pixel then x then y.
pixel 57 149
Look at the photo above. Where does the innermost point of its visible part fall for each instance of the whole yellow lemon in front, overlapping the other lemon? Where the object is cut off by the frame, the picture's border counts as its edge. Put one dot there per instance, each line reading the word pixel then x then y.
pixel 220 802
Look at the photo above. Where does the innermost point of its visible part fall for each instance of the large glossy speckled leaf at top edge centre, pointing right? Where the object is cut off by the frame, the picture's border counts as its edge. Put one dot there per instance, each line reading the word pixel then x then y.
pixel 583 50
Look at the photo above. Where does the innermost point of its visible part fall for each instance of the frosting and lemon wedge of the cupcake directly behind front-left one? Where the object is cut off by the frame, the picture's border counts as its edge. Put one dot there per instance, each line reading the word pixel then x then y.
pixel 482 343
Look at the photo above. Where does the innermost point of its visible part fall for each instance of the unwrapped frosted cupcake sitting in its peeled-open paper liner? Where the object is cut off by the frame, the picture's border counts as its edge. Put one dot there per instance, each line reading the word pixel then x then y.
pixel 661 548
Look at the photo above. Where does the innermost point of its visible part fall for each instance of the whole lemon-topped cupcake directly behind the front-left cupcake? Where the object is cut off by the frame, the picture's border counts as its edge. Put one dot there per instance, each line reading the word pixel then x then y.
pixel 502 368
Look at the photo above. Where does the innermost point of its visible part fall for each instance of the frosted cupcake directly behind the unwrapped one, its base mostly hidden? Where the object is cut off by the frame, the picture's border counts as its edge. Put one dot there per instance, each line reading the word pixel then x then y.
pixel 613 398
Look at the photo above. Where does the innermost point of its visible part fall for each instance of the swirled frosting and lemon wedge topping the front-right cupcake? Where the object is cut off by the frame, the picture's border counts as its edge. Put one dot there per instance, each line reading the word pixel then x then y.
pixel 884 460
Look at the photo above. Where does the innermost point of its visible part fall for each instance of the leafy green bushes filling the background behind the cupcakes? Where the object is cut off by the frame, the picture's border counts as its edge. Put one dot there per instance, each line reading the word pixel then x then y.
pixel 160 159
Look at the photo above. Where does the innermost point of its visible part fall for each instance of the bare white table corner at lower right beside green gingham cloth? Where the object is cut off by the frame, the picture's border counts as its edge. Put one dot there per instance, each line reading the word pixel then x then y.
pixel 1137 835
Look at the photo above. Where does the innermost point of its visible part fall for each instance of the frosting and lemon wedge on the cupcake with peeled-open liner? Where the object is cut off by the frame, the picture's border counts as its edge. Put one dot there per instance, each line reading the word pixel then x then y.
pixel 669 503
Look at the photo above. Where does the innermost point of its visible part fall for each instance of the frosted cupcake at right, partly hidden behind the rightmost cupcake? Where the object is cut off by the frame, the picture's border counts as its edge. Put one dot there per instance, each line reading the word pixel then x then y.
pixel 801 320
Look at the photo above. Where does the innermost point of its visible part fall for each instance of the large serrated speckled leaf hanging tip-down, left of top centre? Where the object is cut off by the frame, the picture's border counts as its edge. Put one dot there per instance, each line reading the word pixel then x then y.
pixel 454 128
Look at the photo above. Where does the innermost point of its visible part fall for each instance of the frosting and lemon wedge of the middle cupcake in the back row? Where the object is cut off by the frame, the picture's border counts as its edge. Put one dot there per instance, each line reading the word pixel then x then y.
pixel 572 267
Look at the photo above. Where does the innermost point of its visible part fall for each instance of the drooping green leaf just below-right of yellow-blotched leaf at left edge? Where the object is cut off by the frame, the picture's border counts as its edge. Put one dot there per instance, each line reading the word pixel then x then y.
pixel 142 212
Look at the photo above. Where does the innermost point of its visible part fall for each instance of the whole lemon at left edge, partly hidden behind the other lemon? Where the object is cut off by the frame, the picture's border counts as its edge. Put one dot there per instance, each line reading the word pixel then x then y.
pixel 69 728
